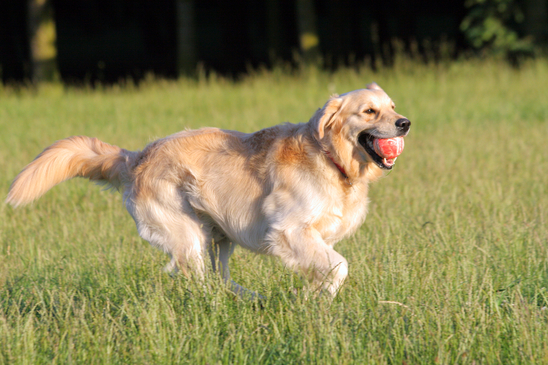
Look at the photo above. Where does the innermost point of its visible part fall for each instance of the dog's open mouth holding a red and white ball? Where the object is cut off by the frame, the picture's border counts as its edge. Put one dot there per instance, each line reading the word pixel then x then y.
pixel 383 151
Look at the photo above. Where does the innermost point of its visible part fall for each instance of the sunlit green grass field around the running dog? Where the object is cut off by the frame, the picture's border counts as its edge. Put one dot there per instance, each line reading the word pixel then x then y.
pixel 451 265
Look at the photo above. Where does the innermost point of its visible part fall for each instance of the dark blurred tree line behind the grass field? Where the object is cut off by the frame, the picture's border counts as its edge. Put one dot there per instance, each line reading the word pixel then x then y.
pixel 108 40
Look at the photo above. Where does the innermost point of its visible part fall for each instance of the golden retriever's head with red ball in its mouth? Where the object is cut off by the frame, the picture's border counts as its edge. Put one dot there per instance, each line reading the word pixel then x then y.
pixel 362 125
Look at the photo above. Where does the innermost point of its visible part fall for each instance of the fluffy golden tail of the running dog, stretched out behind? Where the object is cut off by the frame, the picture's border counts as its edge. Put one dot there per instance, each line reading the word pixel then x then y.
pixel 77 156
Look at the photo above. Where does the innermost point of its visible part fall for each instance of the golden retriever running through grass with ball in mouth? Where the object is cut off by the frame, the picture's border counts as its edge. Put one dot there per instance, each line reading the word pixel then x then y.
pixel 291 191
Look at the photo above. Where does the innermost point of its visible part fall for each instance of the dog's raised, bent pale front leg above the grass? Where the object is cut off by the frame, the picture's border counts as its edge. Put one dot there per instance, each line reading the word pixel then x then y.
pixel 304 250
